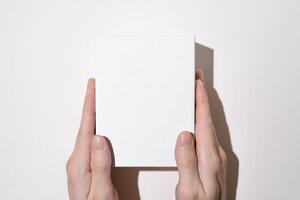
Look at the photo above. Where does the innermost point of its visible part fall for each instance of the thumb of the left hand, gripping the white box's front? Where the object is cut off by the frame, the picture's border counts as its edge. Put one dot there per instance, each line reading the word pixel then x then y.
pixel 100 163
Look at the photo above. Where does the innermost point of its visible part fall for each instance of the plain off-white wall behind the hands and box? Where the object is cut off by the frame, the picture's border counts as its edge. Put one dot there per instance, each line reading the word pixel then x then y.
pixel 46 56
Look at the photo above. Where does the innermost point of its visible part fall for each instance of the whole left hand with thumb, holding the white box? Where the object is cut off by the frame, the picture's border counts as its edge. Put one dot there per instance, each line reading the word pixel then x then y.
pixel 89 166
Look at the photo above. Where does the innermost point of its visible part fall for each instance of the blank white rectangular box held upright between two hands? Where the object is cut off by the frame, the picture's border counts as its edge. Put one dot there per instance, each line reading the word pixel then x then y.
pixel 144 96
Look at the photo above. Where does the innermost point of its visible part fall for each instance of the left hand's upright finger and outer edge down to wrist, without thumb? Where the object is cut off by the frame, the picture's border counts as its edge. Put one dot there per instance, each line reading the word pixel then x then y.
pixel 78 165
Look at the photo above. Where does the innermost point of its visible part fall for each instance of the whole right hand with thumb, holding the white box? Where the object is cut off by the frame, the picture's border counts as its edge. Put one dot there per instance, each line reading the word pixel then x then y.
pixel 200 159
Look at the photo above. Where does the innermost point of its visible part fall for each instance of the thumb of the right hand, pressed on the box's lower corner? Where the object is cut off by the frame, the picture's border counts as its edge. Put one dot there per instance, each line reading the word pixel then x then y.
pixel 186 159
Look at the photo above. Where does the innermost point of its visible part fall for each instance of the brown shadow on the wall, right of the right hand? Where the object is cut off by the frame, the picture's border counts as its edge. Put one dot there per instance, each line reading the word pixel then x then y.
pixel 205 60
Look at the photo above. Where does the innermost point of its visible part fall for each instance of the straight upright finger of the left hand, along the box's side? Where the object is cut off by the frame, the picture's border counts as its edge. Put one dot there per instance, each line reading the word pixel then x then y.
pixel 86 130
